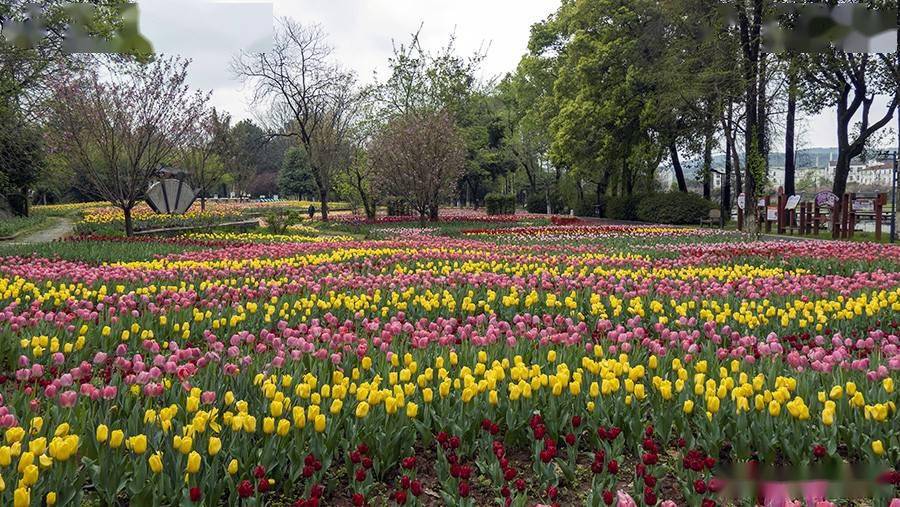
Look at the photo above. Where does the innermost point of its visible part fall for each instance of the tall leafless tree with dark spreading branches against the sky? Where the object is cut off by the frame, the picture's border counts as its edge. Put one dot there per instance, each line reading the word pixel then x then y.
pixel 309 98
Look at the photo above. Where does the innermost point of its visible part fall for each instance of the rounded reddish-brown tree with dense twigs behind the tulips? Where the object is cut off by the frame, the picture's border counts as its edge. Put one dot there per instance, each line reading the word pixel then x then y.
pixel 418 157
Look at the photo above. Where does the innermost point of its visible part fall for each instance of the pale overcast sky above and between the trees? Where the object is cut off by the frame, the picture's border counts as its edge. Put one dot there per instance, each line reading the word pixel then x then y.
pixel 362 33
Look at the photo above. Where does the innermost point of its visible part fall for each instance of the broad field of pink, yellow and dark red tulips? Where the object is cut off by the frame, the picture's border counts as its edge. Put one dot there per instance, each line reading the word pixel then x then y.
pixel 507 363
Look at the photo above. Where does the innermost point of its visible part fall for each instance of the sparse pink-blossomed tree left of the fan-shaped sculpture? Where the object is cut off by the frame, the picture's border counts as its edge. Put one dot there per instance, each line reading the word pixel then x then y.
pixel 118 129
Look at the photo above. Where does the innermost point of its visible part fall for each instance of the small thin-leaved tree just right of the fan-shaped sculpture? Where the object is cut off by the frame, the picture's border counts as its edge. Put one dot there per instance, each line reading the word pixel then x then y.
pixel 203 155
